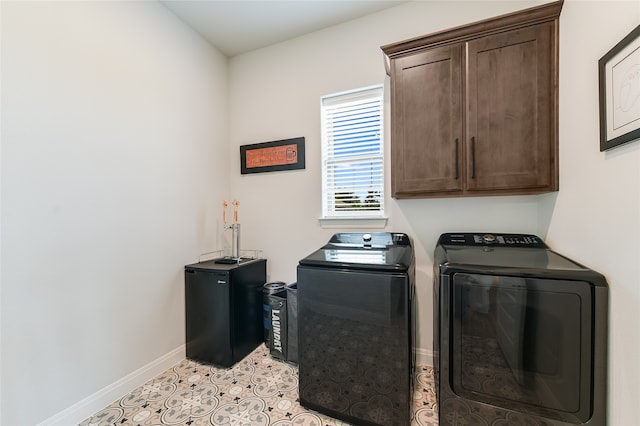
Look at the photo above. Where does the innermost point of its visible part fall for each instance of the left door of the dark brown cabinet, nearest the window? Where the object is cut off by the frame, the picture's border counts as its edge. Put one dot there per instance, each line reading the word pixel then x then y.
pixel 426 146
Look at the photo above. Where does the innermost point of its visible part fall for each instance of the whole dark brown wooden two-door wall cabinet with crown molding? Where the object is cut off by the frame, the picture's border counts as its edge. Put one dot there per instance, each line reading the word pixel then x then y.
pixel 474 109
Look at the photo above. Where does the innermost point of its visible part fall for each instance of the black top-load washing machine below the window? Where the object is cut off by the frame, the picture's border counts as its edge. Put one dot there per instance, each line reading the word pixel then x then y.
pixel 355 328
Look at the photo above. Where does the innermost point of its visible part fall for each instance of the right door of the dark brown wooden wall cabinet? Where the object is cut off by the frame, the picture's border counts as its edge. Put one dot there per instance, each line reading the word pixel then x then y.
pixel 511 138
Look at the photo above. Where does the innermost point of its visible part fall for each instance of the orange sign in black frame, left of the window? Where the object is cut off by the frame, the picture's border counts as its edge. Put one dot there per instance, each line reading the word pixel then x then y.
pixel 285 154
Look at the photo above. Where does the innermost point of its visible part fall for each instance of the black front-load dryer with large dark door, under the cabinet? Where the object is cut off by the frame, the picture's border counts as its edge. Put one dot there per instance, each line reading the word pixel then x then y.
pixel 520 333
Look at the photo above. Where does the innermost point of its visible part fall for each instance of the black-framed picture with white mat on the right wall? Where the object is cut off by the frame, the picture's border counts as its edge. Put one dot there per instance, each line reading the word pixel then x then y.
pixel 619 90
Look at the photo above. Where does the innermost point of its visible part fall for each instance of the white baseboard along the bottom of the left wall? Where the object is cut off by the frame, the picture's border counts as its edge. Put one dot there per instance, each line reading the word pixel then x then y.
pixel 99 400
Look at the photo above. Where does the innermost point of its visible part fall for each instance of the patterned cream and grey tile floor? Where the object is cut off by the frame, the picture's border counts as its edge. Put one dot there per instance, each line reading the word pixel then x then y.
pixel 257 391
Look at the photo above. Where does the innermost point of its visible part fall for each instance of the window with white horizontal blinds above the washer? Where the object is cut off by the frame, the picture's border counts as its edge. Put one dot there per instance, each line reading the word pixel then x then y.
pixel 352 154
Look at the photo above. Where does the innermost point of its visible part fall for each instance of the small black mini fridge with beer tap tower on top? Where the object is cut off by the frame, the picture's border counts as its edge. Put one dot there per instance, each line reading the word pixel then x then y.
pixel 223 307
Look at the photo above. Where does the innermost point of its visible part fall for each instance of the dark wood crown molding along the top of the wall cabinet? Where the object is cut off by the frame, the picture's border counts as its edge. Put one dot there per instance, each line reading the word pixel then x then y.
pixel 531 16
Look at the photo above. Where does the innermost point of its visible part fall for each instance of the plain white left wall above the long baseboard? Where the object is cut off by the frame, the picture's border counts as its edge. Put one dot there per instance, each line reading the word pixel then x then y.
pixel 114 164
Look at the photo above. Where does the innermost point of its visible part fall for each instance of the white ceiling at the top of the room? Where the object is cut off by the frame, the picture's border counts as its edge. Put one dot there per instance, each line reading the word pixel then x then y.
pixel 238 26
